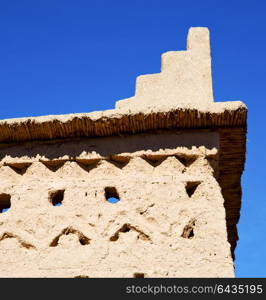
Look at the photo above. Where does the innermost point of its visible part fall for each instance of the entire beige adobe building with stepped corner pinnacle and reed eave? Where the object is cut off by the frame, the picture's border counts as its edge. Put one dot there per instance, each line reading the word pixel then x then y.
pixel 170 156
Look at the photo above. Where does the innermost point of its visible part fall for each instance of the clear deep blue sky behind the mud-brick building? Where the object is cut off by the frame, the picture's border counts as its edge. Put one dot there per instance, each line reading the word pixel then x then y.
pixel 65 56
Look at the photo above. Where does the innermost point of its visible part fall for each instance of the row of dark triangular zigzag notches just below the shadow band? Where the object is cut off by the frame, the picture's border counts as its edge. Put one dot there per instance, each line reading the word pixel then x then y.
pixel 181 163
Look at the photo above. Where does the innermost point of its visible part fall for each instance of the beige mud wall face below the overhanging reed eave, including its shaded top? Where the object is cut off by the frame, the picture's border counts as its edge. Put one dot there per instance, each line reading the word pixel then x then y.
pixel 169 222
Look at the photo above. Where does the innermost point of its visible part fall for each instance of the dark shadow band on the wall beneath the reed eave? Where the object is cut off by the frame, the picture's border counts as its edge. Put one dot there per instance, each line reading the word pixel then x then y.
pixel 106 146
